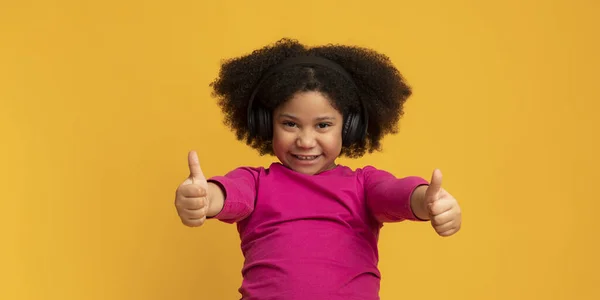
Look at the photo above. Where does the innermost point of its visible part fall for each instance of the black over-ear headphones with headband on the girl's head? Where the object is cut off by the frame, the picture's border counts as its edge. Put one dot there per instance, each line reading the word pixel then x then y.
pixel 259 118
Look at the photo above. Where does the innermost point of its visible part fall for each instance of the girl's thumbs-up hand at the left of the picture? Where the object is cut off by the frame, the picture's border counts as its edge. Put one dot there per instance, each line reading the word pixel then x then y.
pixel 191 197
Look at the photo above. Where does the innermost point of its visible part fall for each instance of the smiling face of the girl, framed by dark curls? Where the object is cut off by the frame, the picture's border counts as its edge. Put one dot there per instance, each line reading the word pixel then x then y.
pixel 307 133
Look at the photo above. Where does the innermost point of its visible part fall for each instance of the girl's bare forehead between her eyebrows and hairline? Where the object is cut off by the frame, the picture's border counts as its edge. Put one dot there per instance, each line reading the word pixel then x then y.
pixel 308 104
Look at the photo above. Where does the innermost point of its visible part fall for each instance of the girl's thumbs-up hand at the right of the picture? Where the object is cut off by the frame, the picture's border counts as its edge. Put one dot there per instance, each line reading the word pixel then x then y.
pixel 444 211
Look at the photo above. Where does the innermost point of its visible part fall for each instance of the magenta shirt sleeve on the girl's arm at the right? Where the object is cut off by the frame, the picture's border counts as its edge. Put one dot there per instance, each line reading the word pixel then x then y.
pixel 388 197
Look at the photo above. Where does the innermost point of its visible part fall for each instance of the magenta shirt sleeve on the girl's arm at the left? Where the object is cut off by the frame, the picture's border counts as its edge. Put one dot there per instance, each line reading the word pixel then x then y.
pixel 239 188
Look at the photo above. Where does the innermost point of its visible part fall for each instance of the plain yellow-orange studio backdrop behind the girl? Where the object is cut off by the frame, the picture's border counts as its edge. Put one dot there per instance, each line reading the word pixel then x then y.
pixel 101 101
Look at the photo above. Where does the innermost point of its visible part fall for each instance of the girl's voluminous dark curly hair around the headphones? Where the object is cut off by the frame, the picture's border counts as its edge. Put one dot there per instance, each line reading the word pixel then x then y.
pixel 380 85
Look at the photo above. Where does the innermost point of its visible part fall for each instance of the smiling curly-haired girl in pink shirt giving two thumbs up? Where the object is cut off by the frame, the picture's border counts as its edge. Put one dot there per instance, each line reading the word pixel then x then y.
pixel 308 226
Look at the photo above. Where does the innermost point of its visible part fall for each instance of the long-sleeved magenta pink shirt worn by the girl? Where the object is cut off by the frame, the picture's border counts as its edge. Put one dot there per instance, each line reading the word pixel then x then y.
pixel 312 237
